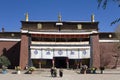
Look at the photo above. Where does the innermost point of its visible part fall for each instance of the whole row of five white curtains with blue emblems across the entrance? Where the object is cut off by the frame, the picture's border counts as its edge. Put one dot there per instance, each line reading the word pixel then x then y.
pixel 79 53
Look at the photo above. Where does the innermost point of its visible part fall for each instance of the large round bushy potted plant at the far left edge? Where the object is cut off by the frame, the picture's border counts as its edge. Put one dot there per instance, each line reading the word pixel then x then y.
pixel 4 62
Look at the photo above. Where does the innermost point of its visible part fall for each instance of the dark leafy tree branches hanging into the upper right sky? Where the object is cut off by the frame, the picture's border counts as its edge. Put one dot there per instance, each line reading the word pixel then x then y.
pixel 104 3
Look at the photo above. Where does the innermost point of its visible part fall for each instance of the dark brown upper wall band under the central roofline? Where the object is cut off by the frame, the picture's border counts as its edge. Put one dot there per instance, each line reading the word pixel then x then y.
pixel 32 25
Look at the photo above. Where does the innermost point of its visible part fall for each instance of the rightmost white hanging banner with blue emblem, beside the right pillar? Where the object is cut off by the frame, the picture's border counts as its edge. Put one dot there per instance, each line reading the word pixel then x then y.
pixel 84 53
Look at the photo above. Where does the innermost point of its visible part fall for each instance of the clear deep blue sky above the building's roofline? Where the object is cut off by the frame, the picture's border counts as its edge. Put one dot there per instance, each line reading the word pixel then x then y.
pixel 12 12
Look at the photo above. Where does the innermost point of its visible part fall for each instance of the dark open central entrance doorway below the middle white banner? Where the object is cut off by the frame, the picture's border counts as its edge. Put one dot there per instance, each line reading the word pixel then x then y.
pixel 60 62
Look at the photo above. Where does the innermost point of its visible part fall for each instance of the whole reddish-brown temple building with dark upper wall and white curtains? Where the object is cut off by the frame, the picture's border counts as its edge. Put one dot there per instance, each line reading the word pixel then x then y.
pixel 61 44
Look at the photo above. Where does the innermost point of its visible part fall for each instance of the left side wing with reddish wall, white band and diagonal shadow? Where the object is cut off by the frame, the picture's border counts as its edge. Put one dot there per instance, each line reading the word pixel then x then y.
pixel 10 46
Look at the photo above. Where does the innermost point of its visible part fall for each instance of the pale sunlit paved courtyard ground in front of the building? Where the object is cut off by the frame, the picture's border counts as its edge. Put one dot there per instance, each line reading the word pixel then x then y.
pixel 68 75
